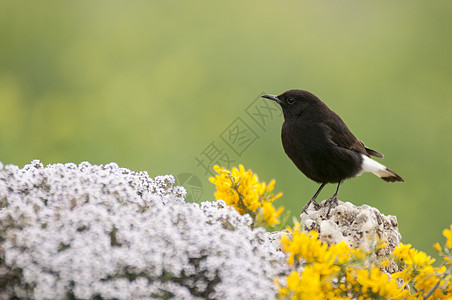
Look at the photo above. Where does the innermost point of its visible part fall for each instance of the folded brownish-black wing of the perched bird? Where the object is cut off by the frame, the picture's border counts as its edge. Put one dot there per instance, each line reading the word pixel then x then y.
pixel 343 137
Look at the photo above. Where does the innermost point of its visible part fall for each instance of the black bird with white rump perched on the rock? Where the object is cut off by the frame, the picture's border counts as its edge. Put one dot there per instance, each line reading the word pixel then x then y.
pixel 320 144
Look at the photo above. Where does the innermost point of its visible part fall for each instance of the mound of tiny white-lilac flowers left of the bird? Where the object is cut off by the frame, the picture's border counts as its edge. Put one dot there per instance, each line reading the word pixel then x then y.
pixel 105 232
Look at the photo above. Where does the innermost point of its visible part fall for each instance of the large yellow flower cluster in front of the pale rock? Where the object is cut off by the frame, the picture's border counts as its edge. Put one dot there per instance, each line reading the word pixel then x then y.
pixel 339 272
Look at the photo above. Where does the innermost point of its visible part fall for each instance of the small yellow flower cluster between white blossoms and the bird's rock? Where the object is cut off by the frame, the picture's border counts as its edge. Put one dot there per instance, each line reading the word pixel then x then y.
pixel 242 190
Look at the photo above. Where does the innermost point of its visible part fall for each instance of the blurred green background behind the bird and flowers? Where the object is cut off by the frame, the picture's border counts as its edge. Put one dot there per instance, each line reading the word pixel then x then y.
pixel 151 84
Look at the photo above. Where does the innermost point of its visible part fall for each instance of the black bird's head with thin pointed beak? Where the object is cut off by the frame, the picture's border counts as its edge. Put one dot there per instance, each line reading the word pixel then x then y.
pixel 294 102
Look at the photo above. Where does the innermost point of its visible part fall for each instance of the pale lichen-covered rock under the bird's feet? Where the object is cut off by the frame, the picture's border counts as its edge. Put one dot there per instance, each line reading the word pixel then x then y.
pixel 359 226
